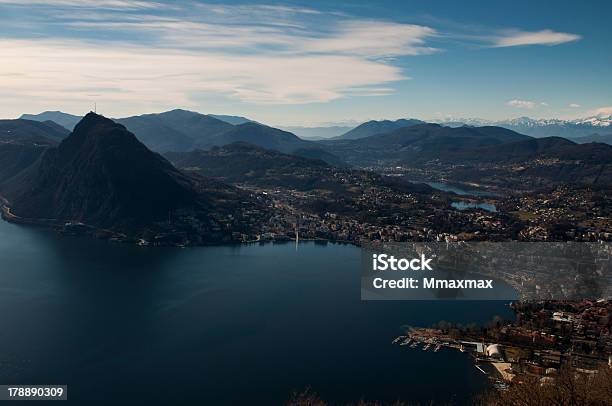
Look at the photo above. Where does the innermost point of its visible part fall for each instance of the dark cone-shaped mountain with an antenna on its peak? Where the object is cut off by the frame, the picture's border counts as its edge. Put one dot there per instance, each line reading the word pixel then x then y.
pixel 103 176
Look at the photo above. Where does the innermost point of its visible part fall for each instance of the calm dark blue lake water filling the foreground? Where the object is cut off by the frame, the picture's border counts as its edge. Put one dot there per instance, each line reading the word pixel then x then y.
pixel 214 326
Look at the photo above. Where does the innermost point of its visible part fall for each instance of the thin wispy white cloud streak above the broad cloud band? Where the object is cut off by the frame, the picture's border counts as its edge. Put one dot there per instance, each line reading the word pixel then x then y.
pixel 368 39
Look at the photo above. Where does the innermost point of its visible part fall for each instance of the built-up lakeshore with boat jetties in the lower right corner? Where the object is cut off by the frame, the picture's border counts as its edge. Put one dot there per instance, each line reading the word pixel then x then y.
pixel 545 338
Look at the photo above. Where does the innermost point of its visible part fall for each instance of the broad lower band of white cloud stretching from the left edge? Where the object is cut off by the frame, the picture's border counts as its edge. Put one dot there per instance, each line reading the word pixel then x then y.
pixel 123 75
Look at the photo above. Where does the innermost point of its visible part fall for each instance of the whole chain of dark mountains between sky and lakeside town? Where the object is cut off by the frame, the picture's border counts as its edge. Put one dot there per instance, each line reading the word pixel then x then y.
pixel 102 175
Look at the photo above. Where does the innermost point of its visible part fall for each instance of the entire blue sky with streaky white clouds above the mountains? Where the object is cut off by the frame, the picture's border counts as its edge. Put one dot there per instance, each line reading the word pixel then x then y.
pixel 308 63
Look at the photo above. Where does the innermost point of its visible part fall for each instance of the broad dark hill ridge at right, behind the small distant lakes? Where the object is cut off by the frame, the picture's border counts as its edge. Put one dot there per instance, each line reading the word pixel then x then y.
pixel 486 155
